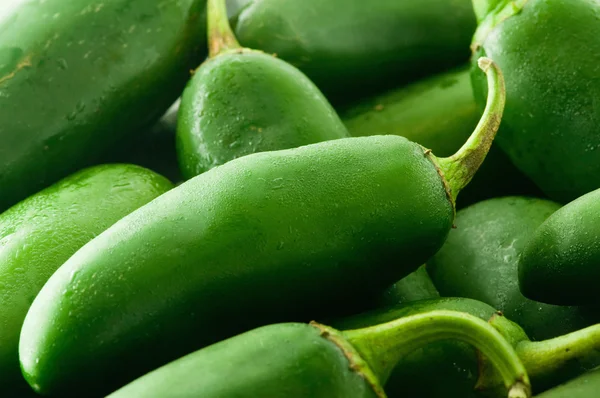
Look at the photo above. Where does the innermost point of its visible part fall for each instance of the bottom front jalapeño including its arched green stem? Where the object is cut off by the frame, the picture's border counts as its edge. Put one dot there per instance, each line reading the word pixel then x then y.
pixel 298 360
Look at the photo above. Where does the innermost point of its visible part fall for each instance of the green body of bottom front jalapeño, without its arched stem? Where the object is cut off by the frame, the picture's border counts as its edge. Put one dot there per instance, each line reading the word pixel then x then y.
pixel 284 360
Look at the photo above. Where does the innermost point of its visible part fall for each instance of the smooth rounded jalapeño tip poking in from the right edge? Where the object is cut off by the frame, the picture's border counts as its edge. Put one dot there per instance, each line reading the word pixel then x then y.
pixel 561 262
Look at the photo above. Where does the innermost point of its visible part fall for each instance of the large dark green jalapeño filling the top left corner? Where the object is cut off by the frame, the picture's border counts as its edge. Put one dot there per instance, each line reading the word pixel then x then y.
pixel 79 78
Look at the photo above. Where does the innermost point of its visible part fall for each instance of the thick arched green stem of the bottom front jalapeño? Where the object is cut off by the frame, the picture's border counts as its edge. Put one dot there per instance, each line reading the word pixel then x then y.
pixel 383 346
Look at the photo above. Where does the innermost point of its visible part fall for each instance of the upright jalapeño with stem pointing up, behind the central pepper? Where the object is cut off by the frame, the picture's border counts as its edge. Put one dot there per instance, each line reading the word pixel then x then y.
pixel 241 101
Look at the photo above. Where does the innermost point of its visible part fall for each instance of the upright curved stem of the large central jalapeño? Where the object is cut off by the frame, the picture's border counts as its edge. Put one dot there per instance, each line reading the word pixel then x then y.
pixel 460 168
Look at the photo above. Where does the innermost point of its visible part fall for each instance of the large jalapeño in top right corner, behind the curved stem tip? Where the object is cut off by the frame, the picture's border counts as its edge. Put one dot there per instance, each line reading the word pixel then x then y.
pixel 550 51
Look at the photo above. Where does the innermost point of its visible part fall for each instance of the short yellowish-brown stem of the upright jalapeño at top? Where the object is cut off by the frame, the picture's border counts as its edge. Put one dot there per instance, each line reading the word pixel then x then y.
pixel 220 35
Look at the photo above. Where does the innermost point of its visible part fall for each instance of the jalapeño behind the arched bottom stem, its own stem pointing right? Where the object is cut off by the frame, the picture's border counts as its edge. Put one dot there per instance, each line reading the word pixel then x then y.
pixel 457 368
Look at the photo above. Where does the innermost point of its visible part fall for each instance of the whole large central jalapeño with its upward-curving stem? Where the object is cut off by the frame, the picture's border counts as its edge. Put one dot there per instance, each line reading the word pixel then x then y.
pixel 265 238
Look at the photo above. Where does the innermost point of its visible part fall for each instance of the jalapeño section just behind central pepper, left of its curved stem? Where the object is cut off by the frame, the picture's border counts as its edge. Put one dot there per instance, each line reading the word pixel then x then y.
pixel 439 112
